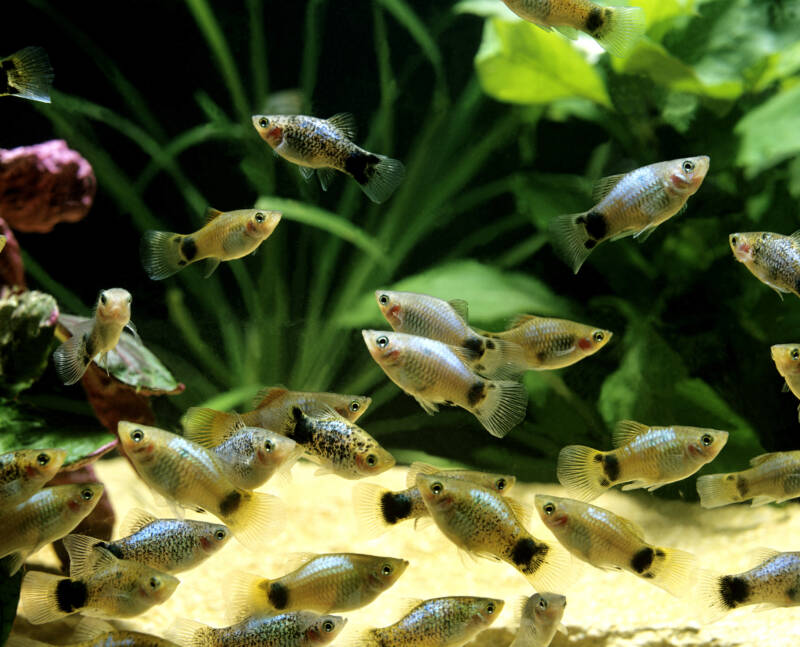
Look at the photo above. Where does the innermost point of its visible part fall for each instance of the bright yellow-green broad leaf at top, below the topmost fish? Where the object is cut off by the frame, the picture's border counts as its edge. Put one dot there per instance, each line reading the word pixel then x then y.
pixel 521 63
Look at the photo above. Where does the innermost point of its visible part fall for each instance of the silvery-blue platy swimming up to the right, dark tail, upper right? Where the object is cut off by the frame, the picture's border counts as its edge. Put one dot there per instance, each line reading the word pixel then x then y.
pixel 630 204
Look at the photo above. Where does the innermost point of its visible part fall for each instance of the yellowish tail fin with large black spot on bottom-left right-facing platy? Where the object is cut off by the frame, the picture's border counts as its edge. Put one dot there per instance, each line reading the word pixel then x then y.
pixel 47 597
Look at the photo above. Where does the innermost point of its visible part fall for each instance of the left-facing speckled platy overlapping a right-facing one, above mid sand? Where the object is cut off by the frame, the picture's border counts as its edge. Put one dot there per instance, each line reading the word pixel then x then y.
pixel 486 524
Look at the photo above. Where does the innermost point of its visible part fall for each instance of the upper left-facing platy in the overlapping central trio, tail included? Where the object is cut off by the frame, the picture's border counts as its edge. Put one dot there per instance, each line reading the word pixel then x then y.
pixel 446 321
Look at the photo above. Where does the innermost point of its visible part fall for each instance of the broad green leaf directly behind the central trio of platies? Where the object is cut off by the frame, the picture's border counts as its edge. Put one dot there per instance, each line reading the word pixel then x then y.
pixel 493 296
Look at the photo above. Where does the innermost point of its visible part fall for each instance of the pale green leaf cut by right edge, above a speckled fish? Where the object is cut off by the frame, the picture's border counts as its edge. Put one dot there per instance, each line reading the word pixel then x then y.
pixel 770 133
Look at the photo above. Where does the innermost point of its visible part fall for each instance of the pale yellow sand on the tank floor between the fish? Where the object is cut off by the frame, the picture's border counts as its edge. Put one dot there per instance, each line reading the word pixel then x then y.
pixel 604 609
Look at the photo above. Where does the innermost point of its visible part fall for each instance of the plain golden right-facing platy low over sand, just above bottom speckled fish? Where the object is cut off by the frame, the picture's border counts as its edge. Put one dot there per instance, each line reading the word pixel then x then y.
pixel 329 583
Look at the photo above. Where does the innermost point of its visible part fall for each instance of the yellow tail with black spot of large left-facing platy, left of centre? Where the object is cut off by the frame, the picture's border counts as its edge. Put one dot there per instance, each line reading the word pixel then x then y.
pixel 253 517
